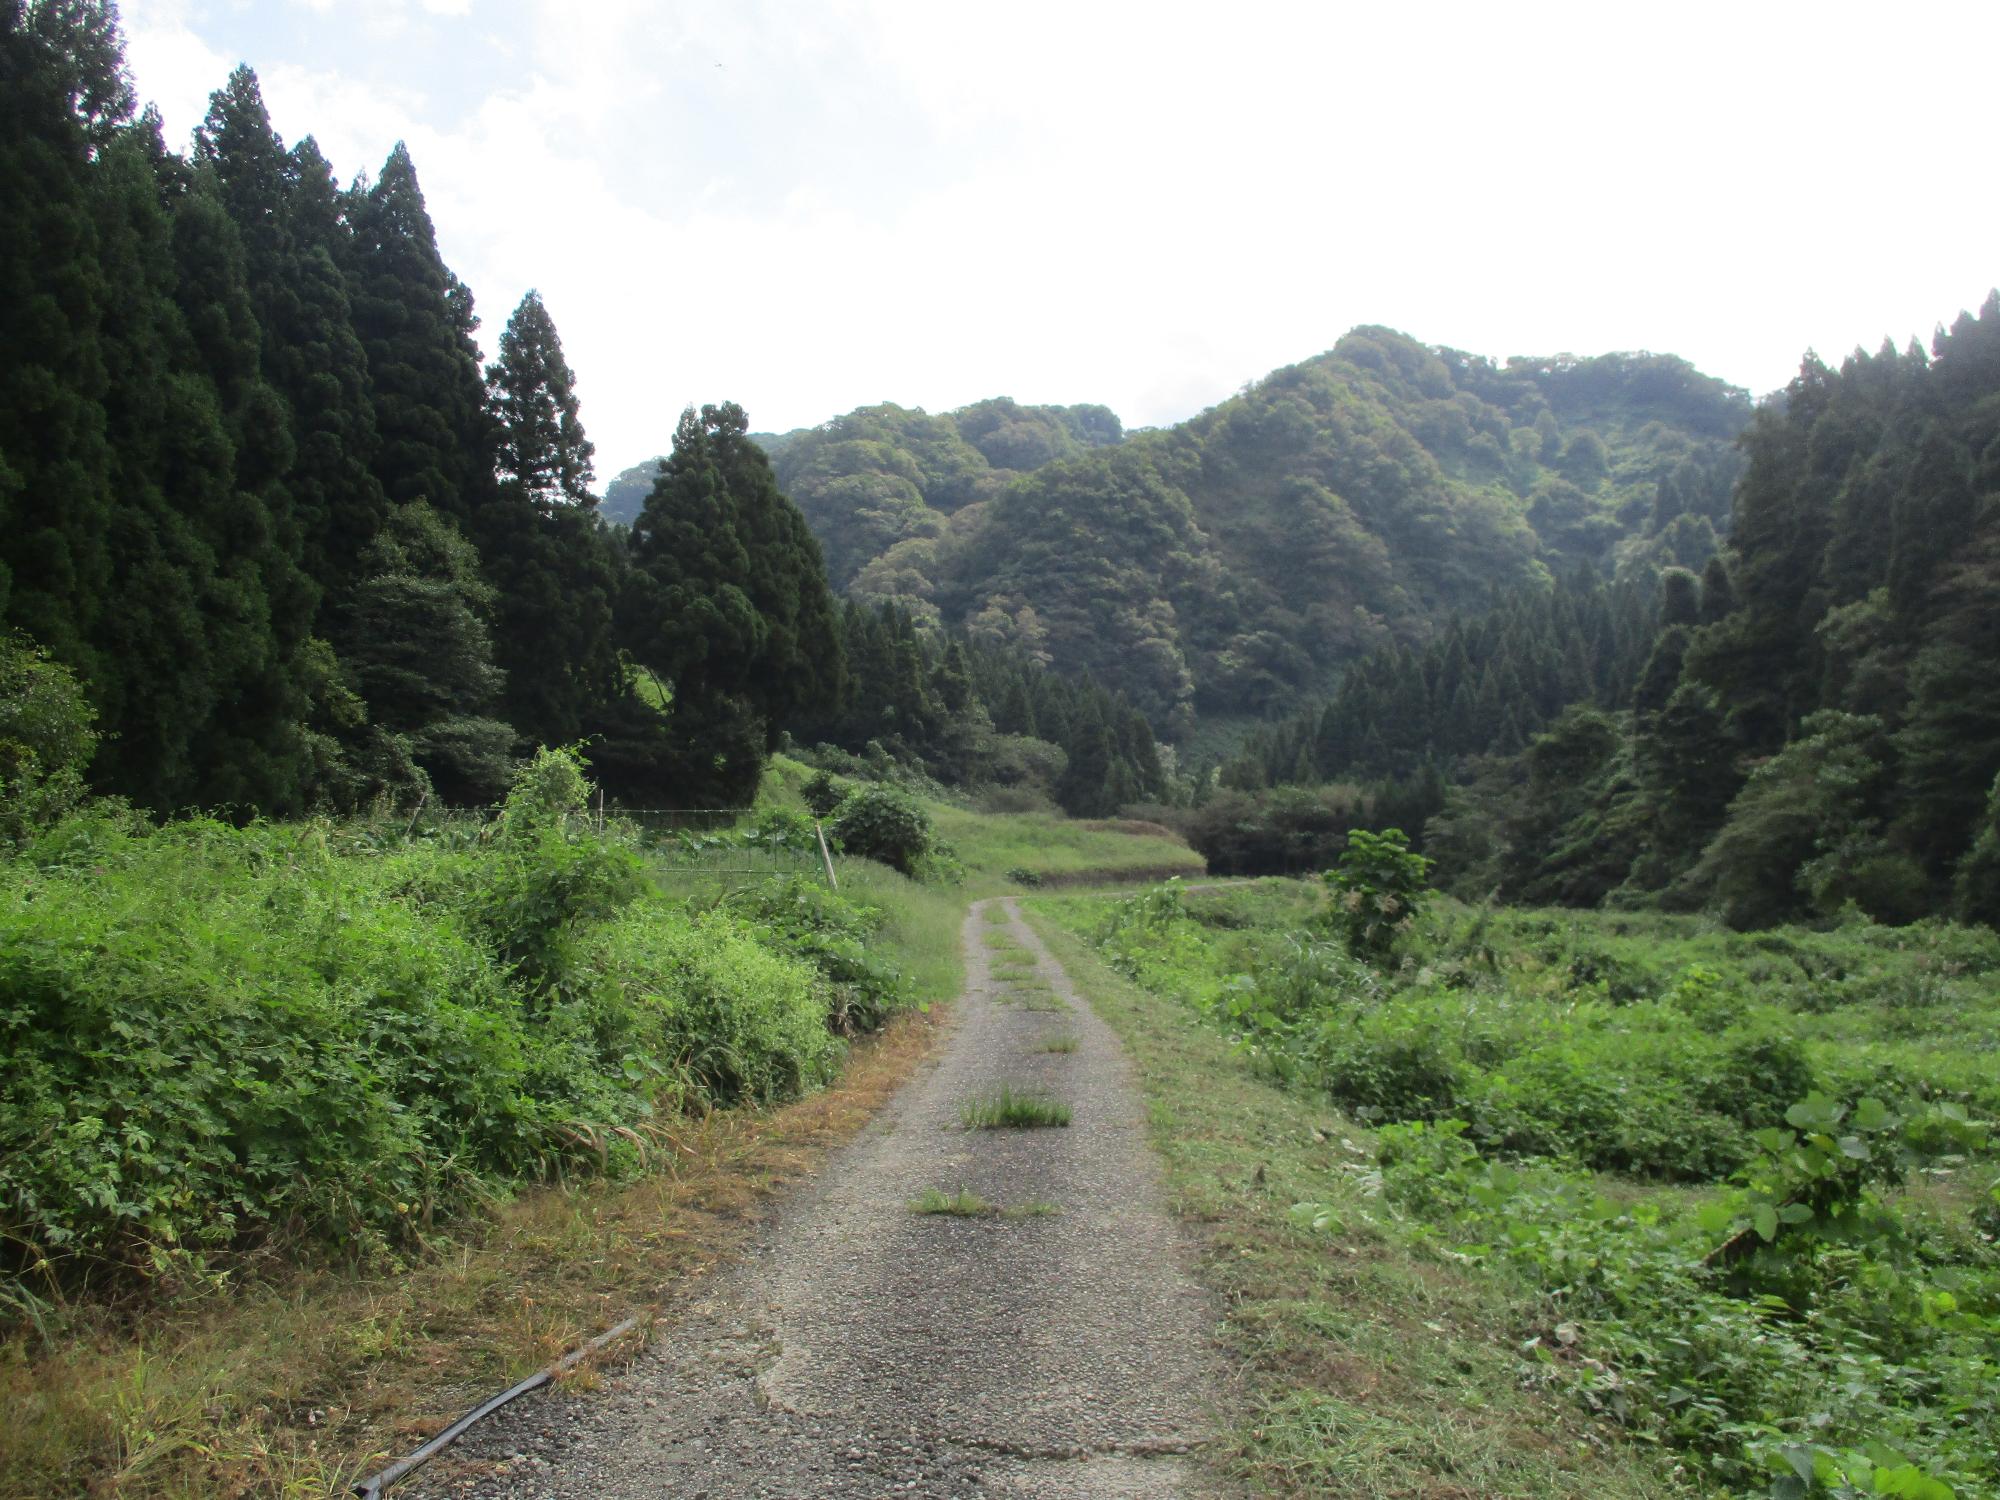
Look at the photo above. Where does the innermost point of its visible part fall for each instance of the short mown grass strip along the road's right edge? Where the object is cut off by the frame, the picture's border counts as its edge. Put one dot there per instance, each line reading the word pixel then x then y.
pixel 1371 1367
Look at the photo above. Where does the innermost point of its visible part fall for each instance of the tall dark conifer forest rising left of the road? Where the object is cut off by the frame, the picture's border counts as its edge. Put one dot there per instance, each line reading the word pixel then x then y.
pixel 303 551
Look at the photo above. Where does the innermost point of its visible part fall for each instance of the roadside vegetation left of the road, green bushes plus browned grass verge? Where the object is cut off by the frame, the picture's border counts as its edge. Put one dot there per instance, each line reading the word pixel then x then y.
pixel 317 1133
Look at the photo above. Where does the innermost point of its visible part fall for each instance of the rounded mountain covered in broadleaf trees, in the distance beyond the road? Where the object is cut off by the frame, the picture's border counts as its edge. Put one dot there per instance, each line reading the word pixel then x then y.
pixel 1239 561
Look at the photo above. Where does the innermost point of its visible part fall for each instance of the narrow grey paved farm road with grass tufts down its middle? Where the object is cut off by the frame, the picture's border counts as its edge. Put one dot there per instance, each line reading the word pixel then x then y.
pixel 869 1351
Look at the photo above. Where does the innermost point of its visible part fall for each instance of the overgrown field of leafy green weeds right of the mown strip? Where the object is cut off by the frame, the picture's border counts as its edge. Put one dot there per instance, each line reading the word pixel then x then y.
pixel 1739 1187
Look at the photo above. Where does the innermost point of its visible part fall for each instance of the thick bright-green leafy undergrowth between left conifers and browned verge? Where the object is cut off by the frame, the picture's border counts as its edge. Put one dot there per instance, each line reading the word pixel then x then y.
pixel 339 1037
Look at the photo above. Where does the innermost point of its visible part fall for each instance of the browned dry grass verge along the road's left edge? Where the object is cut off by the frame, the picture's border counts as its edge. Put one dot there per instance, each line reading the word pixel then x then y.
pixel 299 1387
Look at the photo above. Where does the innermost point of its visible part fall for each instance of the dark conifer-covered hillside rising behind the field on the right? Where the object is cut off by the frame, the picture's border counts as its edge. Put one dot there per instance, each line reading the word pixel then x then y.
pixel 1809 725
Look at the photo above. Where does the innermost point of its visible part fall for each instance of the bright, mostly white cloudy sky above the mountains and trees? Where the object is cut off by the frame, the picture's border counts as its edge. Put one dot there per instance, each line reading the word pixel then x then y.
pixel 817 205
